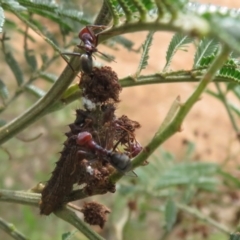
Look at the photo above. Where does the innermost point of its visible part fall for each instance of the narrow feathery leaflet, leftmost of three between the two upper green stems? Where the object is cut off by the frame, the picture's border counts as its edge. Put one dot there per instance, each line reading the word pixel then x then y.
pixel 144 58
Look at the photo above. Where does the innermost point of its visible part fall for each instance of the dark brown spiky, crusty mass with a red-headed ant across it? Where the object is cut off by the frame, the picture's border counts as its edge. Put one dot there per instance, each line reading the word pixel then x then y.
pixel 97 144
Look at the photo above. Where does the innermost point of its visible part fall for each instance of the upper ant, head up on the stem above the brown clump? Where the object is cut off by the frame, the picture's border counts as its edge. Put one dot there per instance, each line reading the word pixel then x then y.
pixel 89 45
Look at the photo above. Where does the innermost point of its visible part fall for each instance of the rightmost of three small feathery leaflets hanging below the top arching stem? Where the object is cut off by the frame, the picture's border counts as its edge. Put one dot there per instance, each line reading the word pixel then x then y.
pixel 205 48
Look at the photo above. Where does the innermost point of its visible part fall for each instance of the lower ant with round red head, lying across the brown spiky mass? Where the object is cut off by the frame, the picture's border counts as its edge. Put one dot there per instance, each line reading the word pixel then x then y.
pixel 119 161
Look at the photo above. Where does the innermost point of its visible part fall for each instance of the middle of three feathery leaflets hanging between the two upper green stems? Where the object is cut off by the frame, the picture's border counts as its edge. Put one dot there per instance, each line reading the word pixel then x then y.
pixel 178 42
